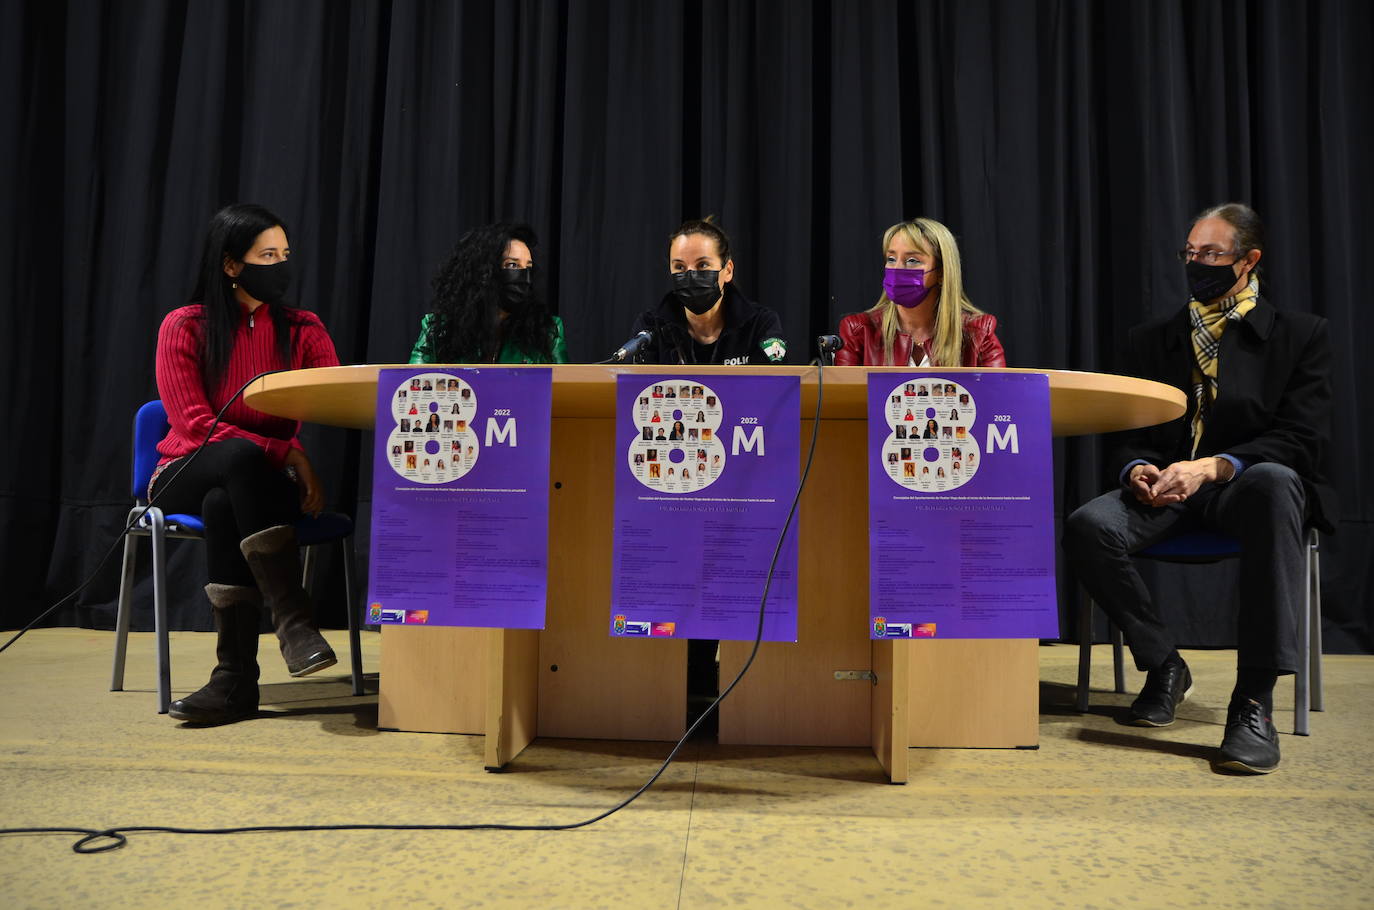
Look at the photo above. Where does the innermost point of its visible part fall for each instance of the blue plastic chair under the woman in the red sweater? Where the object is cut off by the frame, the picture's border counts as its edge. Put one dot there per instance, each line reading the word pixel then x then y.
pixel 150 425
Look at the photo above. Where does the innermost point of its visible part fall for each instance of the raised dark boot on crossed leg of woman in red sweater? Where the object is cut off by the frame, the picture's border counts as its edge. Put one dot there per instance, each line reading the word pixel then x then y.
pixel 275 560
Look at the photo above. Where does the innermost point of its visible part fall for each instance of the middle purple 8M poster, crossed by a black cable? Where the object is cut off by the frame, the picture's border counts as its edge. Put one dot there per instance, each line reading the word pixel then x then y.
pixel 706 475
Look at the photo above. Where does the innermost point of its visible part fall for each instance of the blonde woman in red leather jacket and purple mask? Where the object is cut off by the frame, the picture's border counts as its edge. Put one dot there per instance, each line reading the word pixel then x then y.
pixel 923 318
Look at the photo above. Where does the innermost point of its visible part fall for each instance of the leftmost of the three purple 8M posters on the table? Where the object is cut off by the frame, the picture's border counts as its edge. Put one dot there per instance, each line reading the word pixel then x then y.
pixel 461 497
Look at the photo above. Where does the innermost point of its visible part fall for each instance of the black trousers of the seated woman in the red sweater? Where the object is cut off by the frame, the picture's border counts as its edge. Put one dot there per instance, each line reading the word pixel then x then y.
pixel 237 493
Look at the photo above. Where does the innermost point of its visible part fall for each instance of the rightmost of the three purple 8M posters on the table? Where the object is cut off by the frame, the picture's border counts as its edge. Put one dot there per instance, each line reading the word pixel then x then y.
pixel 961 530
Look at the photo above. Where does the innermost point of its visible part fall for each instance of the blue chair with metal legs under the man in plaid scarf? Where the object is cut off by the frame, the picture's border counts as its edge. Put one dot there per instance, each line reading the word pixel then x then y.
pixel 1211 546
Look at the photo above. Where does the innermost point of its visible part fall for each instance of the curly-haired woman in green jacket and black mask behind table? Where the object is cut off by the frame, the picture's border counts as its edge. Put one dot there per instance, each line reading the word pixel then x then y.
pixel 486 304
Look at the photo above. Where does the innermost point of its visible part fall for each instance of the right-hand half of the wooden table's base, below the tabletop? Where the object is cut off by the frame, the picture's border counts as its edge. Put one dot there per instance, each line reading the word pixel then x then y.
pixel 962 693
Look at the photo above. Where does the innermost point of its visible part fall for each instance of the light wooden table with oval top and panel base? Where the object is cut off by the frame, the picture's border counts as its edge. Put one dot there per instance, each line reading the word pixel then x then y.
pixel 572 680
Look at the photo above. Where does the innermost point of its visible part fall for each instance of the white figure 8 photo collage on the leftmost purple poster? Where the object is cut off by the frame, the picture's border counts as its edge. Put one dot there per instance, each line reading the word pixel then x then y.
pixel 433 439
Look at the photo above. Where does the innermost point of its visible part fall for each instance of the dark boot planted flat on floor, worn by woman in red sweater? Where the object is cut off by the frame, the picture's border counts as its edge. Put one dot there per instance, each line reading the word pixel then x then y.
pixel 233 693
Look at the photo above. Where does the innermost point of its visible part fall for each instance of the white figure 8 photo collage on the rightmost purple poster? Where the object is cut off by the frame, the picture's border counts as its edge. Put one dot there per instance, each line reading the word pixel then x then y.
pixel 931 446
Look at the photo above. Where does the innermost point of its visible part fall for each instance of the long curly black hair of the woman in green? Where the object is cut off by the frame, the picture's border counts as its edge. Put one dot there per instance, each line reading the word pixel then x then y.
pixel 468 324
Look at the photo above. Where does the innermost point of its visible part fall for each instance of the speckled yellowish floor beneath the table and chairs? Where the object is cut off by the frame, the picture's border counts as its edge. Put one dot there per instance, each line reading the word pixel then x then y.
pixel 1101 816
